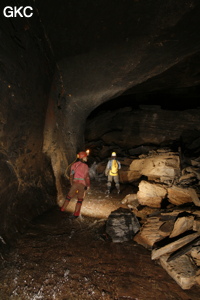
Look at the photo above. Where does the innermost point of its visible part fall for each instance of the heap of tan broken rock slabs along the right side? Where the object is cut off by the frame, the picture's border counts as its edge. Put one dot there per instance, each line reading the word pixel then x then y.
pixel 168 206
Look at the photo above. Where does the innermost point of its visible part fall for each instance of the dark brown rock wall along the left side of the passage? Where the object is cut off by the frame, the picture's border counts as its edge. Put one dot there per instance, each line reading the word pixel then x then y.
pixel 26 177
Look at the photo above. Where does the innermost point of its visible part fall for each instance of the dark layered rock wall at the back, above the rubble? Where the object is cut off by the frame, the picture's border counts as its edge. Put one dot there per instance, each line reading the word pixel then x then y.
pixel 149 125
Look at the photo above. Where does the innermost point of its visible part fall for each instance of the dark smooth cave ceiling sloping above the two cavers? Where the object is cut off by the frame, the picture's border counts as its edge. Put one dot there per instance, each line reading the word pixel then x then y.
pixel 107 48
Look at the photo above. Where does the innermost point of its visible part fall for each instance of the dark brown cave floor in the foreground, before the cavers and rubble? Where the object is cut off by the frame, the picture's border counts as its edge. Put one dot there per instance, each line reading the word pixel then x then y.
pixel 59 258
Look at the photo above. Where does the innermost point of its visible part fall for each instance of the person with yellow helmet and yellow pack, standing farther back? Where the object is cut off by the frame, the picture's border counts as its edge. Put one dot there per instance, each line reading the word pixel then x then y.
pixel 111 171
